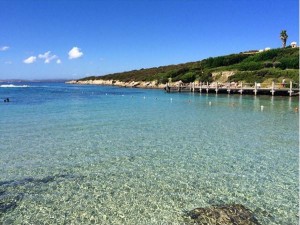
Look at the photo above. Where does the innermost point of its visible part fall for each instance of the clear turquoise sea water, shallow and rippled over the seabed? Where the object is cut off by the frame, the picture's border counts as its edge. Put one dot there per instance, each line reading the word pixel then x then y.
pixel 106 155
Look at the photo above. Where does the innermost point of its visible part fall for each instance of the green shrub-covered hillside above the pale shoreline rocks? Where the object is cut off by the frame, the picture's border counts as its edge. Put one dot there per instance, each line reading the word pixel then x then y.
pixel 249 67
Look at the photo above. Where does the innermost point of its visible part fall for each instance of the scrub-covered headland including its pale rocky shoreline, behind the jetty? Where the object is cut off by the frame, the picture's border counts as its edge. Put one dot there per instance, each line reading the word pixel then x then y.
pixel 263 67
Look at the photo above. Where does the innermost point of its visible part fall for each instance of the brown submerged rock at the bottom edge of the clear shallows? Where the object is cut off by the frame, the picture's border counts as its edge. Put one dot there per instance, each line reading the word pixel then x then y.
pixel 223 215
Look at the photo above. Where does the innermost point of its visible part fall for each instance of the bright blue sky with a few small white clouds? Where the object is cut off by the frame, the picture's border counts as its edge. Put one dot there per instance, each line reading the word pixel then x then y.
pixel 42 39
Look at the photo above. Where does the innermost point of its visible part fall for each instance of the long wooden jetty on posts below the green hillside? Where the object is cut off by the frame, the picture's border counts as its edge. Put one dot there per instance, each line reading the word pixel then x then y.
pixel 291 89
